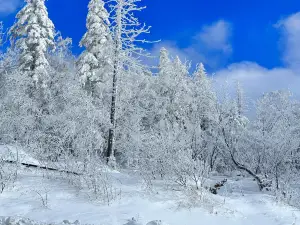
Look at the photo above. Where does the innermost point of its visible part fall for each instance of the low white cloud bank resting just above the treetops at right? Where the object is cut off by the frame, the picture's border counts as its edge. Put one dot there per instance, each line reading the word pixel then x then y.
pixel 257 80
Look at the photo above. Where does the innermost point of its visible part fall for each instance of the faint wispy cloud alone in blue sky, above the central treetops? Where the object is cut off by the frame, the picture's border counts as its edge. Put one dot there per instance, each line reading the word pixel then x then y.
pixel 210 46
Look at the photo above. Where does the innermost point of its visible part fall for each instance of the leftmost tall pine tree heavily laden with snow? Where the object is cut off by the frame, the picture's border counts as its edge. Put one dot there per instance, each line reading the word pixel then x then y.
pixel 33 35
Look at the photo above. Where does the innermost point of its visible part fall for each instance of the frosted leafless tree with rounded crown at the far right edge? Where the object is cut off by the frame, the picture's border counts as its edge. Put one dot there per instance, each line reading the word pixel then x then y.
pixel 276 132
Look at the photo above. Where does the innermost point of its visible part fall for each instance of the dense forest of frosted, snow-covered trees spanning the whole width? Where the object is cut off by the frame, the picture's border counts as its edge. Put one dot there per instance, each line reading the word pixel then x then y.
pixel 108 108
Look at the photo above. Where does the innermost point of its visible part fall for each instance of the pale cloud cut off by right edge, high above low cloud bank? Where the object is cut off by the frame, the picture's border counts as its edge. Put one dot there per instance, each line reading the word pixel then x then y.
pixel 290 28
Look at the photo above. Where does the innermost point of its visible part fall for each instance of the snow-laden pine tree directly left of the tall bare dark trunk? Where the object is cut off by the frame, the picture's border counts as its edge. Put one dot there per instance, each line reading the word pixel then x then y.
pixel 95 62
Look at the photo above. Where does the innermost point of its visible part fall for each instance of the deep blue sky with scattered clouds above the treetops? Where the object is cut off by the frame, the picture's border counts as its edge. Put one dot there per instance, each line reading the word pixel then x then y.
pixel 254 41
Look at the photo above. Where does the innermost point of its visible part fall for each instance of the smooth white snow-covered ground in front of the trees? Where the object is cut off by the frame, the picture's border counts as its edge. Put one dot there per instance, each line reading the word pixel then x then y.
pixel 239 203
